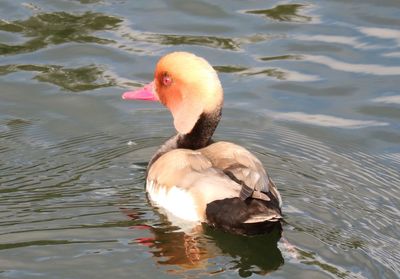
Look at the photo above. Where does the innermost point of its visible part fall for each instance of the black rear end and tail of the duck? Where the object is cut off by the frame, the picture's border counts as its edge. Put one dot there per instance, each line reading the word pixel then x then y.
pixel 248 217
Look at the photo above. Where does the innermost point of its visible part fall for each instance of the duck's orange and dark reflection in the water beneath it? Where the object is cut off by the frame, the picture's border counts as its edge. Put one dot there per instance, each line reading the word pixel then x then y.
pixel 201 249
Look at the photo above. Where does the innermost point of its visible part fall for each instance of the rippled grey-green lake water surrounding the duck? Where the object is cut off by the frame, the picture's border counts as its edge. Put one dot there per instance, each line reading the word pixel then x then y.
pixel 312 88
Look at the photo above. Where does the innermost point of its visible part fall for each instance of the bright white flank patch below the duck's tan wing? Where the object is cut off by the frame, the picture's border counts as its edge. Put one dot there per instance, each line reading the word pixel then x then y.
pixel 177 201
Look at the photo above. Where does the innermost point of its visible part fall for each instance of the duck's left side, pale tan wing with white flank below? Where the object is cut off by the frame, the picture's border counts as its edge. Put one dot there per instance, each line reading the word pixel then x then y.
pixel 184 181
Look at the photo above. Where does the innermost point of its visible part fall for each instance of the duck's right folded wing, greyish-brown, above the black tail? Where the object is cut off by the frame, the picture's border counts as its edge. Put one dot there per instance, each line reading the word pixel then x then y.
pixel 244 168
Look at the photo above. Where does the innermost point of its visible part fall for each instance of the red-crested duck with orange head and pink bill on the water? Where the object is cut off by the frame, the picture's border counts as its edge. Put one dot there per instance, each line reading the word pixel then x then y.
pixel 192 177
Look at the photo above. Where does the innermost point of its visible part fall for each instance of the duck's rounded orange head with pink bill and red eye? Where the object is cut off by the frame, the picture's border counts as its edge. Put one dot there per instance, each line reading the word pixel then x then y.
pixel 187 85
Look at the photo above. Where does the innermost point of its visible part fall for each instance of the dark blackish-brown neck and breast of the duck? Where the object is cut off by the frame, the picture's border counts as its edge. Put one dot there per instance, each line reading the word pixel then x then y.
pixel 199 136
